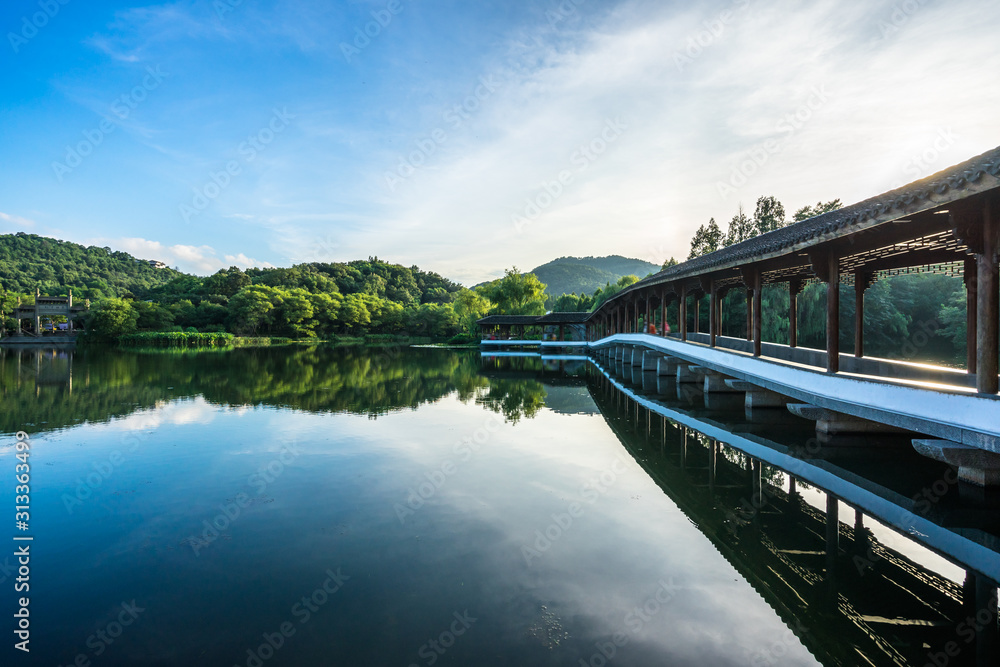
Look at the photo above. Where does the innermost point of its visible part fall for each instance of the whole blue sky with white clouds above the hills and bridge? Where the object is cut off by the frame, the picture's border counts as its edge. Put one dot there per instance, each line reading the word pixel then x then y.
pixel 466 137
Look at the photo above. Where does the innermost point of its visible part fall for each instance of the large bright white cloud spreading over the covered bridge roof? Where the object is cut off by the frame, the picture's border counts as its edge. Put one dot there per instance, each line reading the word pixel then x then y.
pixel 853 83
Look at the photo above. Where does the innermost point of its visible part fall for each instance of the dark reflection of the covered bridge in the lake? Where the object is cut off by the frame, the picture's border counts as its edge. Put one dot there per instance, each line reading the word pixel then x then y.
pixel 848 595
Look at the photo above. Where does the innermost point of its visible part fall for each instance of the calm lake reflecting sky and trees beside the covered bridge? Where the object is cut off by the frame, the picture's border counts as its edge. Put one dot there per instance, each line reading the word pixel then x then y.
pixel 423 506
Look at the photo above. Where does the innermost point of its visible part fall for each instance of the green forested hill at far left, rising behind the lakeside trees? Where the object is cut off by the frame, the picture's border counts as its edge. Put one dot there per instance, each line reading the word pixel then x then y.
pixel 28 261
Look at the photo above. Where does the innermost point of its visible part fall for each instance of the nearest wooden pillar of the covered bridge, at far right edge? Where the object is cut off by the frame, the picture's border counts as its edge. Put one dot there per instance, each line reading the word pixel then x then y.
pixel 988 302
